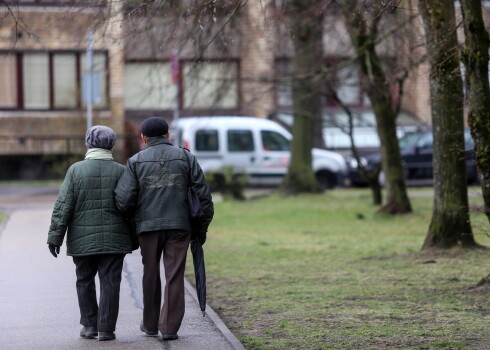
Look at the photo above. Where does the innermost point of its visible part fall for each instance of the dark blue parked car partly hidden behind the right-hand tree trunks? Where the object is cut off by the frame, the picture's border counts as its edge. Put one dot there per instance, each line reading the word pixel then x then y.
pixel 416 152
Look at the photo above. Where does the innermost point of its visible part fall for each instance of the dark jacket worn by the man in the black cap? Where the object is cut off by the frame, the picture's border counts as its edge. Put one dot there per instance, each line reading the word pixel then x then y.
pixel 154 187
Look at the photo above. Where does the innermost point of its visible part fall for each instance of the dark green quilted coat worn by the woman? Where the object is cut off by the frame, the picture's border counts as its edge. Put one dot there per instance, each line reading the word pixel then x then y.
pixel 87 208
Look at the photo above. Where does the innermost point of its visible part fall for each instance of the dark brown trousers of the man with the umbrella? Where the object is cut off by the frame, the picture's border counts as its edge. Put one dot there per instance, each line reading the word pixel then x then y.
pixel 174 245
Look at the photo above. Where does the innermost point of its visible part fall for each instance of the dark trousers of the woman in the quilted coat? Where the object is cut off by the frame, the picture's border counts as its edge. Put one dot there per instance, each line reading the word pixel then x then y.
pixel 109 267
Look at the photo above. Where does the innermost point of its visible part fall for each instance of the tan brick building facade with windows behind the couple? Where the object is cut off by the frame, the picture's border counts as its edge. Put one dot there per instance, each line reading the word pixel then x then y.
pixel 221 59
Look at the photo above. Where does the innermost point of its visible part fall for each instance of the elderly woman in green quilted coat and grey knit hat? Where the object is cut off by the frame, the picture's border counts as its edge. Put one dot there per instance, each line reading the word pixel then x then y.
pixel 98 235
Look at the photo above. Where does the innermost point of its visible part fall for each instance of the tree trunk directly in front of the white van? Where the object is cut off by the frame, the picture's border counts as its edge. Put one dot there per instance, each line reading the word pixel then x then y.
pixel 306 32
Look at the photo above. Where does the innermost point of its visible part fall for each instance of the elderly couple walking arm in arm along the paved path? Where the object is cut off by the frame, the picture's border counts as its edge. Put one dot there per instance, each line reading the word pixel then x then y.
pixel 108 210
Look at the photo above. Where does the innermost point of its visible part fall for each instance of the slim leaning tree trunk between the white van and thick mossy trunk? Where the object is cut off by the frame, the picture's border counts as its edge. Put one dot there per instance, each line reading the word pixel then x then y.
pixel 378 90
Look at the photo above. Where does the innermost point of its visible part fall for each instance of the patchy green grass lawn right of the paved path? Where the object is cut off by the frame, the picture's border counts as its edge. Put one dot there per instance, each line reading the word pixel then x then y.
pixel 325 272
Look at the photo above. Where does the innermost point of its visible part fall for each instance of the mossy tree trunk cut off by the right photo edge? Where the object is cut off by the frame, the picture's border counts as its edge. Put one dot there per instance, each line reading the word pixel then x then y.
pixel 475 58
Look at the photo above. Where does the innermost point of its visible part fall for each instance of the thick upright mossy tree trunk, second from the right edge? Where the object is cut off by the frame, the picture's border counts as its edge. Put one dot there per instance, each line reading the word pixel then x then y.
pixel 450 225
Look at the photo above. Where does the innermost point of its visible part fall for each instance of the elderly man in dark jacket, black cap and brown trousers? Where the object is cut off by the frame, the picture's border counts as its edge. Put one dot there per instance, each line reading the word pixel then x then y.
pixel 154 189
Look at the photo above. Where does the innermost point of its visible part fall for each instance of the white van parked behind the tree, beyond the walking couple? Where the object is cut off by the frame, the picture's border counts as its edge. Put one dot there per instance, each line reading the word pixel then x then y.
pixel 257 147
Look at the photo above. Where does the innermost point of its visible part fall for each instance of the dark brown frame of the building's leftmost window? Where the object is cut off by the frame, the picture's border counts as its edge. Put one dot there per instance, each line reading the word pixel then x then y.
pixel 20 106
